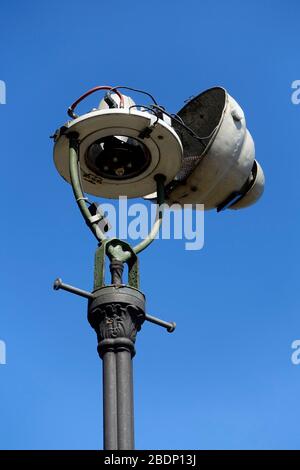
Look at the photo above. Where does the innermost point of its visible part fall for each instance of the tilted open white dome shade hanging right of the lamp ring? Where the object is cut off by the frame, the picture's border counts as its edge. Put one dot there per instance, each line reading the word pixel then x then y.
pixel 221 168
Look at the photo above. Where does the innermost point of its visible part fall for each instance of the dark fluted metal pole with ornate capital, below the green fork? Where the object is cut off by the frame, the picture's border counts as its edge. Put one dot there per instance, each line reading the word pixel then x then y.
pixel 117 312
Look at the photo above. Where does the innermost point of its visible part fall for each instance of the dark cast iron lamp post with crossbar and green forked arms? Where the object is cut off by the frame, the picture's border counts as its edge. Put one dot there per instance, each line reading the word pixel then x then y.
pixel 117 311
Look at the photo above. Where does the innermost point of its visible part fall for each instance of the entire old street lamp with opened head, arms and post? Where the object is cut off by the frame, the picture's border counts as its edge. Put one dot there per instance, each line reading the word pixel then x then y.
pixel 204 154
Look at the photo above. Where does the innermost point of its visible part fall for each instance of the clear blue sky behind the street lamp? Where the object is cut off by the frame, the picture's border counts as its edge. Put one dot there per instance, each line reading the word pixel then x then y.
pixel 224 379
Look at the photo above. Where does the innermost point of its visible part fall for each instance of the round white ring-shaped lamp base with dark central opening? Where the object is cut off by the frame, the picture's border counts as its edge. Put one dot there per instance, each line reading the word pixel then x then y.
pixel 120 149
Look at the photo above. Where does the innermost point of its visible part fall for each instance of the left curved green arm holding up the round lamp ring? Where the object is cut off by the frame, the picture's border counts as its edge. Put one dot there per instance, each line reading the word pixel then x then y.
pixel 92 221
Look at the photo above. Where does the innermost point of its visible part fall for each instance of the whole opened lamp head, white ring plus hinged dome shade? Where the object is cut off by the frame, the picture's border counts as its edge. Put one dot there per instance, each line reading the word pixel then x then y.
pixel 205 151
